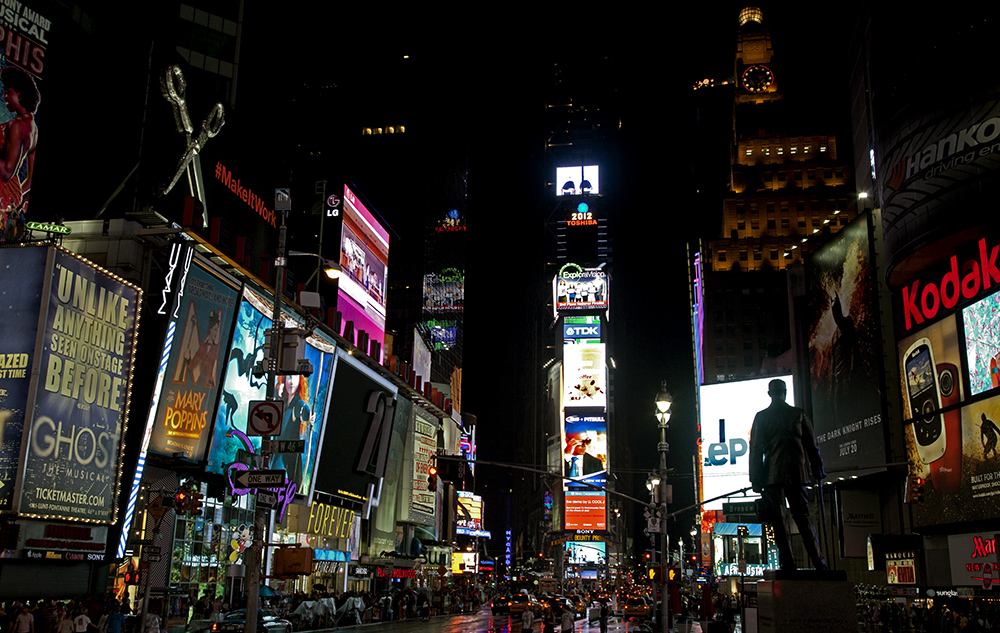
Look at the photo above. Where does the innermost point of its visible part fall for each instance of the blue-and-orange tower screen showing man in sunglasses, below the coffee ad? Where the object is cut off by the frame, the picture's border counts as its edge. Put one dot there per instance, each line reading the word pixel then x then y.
pixel 585 460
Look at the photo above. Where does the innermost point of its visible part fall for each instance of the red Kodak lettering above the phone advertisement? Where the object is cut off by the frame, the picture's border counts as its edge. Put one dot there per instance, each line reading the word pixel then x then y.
pixel 923 302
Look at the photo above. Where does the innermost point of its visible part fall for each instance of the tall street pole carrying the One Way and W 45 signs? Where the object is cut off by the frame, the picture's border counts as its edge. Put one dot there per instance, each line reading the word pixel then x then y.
pixel 261 514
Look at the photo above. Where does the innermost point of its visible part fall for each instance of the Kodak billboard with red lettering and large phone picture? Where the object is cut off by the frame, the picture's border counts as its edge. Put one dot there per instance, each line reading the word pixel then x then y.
pixel 947 359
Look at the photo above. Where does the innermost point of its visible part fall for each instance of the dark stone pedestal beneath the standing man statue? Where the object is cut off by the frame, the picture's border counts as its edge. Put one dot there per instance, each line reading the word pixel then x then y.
pixel 806 600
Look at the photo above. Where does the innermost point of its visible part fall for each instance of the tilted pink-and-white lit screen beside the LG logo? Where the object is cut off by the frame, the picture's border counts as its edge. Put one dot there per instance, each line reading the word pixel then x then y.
pixel 364 258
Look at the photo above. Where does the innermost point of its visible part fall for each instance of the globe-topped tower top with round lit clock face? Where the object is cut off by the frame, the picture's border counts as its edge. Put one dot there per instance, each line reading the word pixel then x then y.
pixel 755 75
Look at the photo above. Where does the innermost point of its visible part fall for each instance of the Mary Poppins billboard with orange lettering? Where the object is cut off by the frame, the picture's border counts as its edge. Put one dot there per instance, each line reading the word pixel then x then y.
pixel 203 318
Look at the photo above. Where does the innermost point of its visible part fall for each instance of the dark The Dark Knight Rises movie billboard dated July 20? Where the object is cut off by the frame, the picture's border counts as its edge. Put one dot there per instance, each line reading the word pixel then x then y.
pixel 844 353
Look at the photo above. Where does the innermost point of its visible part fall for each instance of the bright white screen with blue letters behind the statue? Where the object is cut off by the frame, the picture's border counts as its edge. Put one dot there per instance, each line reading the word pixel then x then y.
pixel 727 413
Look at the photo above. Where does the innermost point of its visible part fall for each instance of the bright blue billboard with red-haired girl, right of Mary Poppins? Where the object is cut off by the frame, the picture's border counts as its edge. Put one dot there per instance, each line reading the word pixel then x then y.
pixel 304 398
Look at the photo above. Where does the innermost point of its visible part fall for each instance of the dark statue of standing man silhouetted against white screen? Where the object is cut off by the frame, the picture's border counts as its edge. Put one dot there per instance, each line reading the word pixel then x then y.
pixel 783 455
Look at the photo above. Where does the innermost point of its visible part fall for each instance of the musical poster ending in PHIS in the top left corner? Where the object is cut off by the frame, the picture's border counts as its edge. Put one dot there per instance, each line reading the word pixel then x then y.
pixel 24 36
